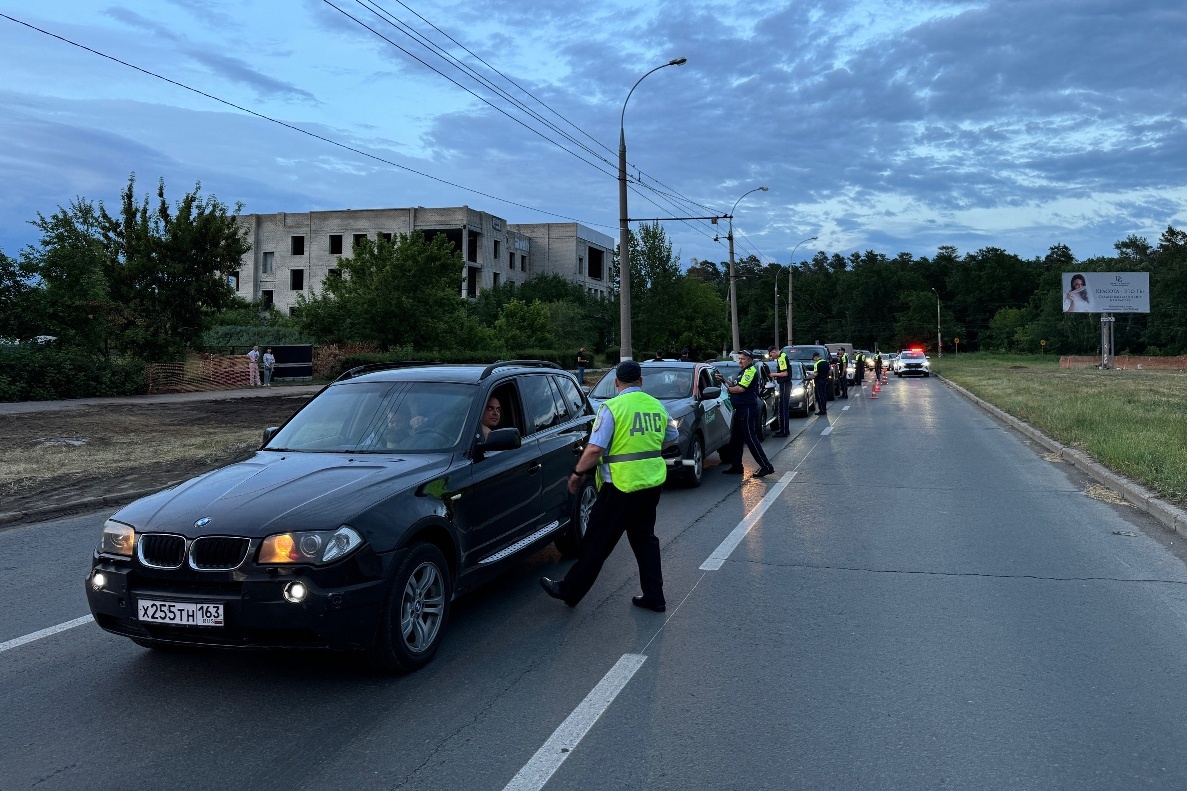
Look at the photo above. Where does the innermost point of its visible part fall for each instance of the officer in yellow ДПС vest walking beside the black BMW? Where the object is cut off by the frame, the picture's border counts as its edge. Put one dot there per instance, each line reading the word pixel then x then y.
pixel 630 434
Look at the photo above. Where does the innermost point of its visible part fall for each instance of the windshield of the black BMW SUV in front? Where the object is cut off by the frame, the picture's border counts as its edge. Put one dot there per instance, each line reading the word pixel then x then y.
pixel 379 417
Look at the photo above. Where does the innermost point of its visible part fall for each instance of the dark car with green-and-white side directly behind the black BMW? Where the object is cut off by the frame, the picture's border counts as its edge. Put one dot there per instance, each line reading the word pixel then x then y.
pixel 694 401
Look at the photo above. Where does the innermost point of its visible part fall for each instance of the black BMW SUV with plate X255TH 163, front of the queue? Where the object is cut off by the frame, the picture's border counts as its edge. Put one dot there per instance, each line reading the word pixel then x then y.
pixel 359 521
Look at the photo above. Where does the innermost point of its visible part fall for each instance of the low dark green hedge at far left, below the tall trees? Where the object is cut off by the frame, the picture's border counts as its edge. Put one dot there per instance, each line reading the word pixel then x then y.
pixel 52 374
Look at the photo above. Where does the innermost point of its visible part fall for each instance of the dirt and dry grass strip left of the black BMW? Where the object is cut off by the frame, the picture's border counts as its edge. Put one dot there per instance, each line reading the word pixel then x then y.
pixel 52 460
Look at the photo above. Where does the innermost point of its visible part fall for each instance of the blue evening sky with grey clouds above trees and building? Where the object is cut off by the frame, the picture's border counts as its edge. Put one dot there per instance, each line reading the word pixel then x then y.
pixel 886 125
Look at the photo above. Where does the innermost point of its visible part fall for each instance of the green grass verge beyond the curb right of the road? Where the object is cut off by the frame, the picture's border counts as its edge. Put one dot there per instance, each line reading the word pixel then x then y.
pixel 1134 422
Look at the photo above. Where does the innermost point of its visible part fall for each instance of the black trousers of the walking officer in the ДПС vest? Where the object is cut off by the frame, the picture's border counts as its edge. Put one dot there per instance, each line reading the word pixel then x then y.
pixel 614 514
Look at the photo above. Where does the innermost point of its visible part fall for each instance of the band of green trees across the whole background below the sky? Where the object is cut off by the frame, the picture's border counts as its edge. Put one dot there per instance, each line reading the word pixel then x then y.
pixel 147 282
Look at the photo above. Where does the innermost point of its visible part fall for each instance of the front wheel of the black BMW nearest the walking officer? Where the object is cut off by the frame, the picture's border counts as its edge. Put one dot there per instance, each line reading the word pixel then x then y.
pixel 416 612
